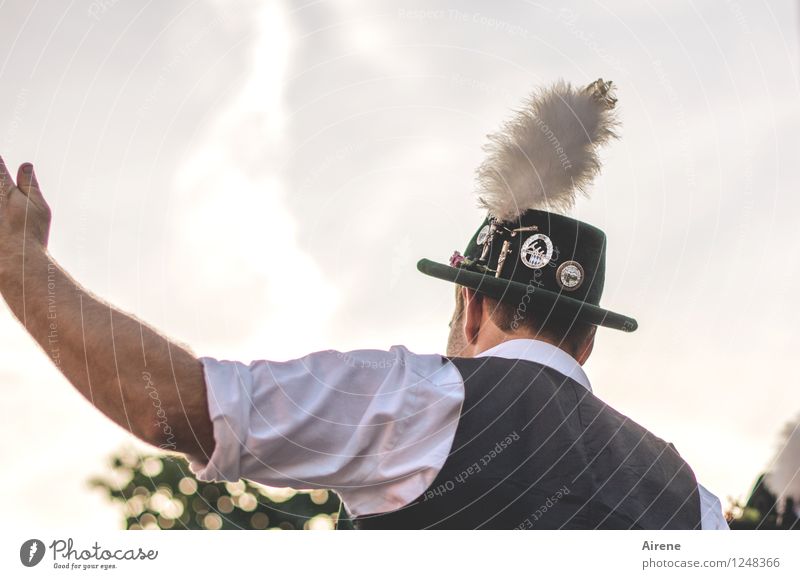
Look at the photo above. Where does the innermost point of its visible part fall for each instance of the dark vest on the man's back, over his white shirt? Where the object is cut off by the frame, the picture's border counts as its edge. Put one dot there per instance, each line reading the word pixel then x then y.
pixel 536 450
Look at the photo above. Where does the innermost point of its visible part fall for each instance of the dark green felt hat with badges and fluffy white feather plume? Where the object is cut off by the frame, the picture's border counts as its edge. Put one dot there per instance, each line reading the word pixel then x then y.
pixel 526 252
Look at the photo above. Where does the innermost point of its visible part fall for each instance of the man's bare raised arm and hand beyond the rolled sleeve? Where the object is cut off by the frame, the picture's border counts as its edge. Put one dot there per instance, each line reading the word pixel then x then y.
pixel 150 386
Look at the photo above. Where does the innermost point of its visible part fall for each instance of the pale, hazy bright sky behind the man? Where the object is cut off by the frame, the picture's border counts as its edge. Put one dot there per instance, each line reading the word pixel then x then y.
pixel 258 180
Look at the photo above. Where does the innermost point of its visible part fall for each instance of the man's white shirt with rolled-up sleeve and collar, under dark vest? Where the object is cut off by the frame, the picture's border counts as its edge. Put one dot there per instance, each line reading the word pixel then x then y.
pixel 374 426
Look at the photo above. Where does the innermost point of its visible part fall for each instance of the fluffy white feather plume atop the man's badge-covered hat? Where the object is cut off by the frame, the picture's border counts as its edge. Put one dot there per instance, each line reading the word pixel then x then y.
pixel 547 153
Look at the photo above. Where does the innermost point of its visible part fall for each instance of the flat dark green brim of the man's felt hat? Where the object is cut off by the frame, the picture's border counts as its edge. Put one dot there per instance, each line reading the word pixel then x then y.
pixel 540 299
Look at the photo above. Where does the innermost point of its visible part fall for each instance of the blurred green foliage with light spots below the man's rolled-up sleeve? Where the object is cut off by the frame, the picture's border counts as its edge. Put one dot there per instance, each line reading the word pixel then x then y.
pixel 159 492
